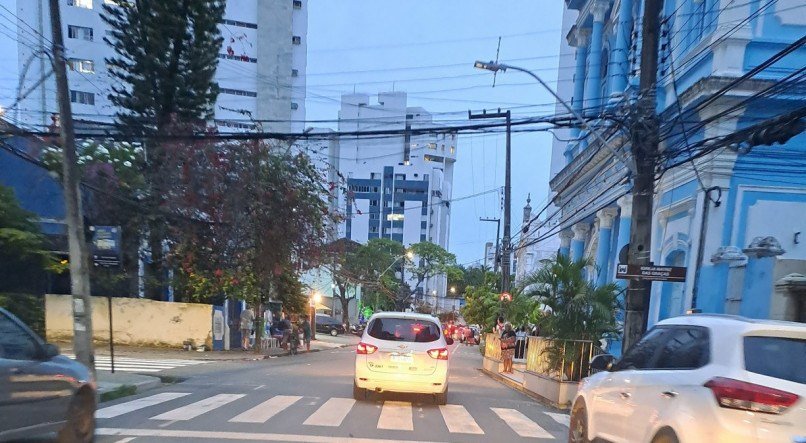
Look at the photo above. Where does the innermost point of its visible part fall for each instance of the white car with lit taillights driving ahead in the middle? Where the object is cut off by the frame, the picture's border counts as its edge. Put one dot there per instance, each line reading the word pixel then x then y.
pixel 402 352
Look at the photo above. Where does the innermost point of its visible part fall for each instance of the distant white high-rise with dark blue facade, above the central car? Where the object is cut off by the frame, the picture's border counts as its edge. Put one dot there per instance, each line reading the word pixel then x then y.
pixel 399 182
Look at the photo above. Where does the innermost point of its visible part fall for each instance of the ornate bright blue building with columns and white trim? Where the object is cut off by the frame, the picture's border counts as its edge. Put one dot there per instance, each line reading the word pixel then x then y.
pixel 748 208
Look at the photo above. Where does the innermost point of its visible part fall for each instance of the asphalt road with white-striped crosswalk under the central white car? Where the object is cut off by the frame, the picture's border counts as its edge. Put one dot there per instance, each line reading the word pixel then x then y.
pixel 308 397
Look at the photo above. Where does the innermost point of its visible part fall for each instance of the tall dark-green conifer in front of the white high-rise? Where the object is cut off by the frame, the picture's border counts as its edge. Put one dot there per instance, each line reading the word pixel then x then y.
pixel 166 55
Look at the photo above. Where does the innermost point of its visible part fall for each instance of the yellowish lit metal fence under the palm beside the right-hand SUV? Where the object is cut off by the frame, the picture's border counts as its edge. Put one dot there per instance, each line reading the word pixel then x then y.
pixel 564 360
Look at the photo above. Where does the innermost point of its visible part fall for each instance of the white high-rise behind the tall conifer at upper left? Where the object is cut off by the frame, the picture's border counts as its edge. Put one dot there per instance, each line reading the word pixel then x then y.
pixel 261 71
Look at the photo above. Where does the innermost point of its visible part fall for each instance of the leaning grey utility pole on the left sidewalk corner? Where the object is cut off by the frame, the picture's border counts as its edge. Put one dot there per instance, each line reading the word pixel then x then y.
pixel 79 257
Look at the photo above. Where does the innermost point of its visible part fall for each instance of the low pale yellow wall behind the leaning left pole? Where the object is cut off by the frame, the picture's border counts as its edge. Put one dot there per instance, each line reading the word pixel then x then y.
pixel 135 321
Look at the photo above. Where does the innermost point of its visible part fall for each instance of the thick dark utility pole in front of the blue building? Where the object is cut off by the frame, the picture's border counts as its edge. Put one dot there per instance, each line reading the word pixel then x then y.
pixel 644 135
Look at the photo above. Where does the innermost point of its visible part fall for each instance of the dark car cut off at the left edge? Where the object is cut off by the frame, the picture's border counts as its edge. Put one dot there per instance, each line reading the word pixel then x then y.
pixel 40 390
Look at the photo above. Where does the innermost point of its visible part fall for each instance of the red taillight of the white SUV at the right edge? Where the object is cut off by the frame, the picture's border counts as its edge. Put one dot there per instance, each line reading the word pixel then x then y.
pixel 737 394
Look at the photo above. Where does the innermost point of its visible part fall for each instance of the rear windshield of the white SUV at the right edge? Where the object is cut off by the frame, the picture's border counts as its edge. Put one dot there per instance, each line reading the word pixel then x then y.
pixel 778 357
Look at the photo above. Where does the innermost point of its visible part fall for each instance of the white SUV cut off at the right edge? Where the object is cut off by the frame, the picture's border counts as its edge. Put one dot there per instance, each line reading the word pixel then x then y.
pixel 699 378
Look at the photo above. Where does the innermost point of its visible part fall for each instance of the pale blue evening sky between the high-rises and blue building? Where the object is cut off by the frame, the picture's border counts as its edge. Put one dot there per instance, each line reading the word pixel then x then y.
pixel 437 42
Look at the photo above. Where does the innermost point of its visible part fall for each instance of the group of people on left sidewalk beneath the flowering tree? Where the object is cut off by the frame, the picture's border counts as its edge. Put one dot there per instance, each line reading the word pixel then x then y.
pixel 283 329
